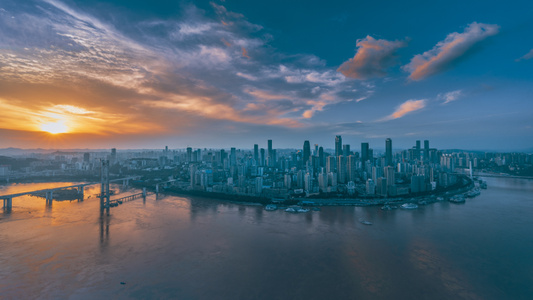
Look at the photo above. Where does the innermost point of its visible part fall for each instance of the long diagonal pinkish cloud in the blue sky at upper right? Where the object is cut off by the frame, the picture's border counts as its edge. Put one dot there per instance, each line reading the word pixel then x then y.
pixel 447 51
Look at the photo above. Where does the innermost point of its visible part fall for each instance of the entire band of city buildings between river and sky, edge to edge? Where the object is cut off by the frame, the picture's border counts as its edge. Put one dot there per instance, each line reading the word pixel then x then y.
pixel 280 173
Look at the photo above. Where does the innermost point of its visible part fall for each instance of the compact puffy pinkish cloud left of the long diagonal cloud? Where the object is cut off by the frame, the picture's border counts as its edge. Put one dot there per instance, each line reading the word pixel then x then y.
pixel 372 58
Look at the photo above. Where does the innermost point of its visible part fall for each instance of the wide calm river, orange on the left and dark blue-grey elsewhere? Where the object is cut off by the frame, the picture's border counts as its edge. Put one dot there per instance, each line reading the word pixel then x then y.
pixel 199 248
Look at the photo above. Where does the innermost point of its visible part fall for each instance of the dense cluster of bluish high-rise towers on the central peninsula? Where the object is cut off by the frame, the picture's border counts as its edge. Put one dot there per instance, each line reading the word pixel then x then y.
pixel 285 173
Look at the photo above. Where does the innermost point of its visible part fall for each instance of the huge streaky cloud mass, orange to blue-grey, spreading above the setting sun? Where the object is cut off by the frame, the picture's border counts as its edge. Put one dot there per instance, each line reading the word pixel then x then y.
pixel 168 75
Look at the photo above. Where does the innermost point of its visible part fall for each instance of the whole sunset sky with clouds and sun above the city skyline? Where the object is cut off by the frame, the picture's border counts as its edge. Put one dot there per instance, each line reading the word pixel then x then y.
pixel 149 74
